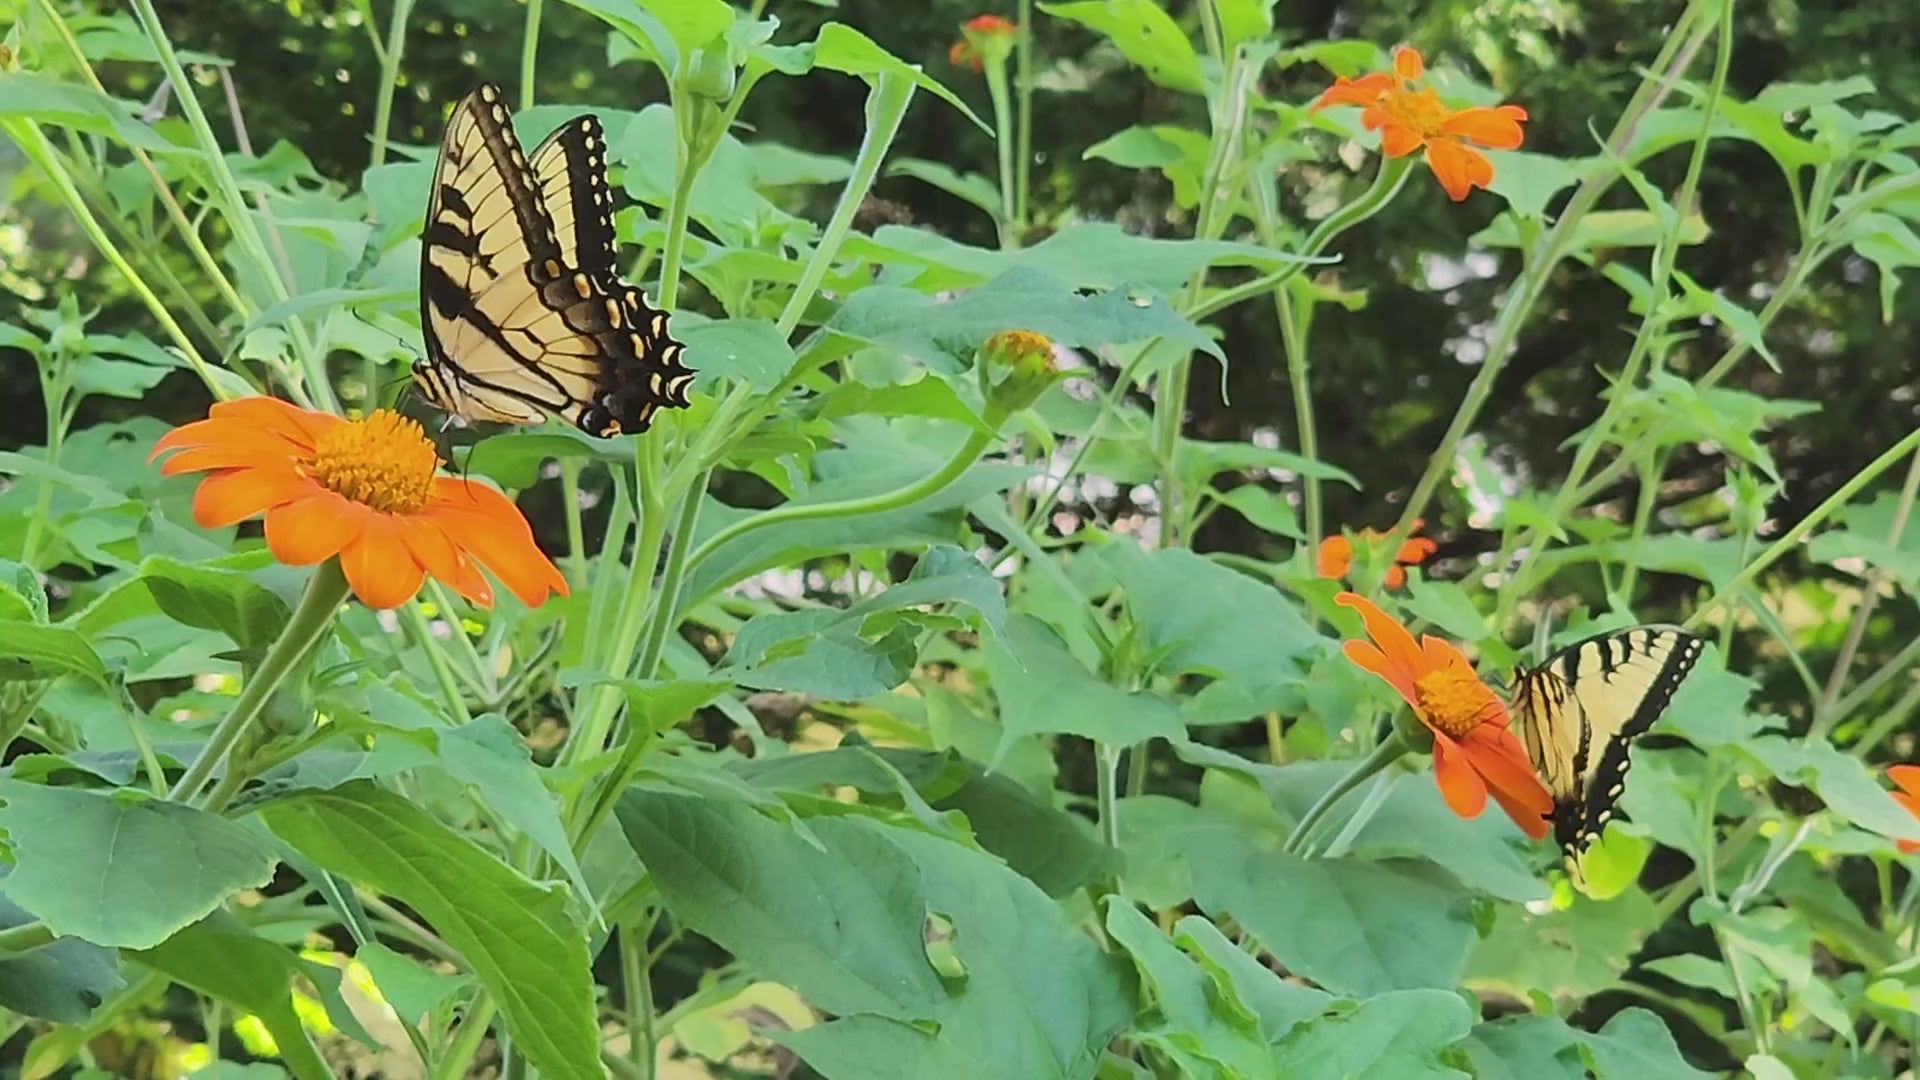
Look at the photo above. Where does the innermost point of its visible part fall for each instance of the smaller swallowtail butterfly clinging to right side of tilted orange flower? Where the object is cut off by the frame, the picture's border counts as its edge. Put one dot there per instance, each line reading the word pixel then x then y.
pixel 1583 710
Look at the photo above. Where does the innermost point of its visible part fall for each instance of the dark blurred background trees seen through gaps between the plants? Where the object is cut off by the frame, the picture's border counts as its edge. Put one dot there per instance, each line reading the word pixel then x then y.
pixel 1387 372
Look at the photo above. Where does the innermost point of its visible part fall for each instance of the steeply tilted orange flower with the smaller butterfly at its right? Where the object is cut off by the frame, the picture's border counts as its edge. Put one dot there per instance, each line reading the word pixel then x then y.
pixel 1476 754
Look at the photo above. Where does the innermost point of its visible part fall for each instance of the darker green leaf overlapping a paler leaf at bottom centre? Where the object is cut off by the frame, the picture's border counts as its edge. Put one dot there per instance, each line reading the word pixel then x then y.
pixel 842 925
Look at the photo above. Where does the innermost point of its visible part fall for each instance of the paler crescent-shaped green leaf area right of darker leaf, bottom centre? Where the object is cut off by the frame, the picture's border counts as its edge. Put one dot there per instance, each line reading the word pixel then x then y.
pixel 1038 998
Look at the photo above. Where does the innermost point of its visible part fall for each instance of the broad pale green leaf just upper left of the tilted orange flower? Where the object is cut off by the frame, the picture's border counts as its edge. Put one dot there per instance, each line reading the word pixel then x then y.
pixel 1203 618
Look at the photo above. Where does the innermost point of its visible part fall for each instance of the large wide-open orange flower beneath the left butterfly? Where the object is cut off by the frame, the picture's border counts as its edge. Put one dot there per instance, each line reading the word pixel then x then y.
pixel 364 491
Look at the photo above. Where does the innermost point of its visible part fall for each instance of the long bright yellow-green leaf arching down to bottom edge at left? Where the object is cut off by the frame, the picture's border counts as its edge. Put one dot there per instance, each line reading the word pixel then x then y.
pixel 516 935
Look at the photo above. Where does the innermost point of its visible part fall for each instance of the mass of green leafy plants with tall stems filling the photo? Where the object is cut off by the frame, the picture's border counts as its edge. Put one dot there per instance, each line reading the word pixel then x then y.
pixel 934 768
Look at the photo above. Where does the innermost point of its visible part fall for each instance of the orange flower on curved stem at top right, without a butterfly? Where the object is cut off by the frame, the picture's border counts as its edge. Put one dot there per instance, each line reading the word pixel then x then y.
pixel 1410 116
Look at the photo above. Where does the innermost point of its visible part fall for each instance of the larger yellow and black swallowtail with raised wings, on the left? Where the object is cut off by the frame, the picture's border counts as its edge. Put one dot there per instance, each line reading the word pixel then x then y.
pixel 519 301
